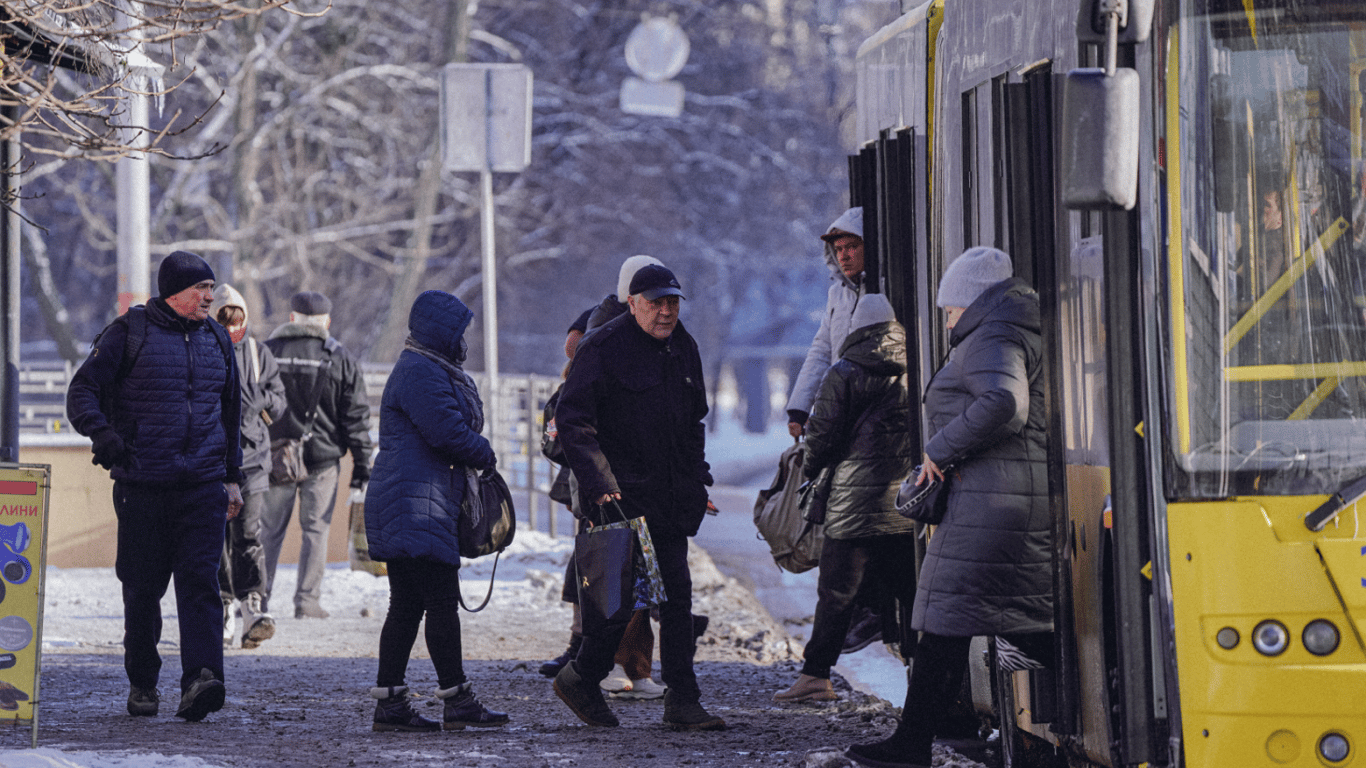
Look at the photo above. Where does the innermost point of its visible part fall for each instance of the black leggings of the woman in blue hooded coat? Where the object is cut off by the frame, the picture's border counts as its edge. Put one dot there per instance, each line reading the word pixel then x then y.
pixel 417 588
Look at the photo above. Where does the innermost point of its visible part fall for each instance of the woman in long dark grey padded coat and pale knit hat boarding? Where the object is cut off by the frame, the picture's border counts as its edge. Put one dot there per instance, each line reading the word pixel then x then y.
pixel 988 568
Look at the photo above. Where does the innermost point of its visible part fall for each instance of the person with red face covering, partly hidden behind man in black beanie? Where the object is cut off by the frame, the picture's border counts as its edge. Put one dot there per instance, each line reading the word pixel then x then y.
pixel 242 566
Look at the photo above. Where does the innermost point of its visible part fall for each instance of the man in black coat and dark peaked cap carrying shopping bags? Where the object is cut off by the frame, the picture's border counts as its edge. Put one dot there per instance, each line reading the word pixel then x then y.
pixel 630 423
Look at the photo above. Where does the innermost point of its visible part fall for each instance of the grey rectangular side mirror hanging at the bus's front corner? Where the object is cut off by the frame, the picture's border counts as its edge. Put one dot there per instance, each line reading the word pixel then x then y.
pixel 1100 140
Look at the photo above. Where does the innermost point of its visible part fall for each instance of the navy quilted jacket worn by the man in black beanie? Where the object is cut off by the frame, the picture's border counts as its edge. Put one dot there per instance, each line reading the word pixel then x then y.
pixel 177 409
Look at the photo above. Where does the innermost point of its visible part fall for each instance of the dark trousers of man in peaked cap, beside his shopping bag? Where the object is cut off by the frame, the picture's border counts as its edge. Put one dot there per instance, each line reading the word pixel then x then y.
pixel 677 643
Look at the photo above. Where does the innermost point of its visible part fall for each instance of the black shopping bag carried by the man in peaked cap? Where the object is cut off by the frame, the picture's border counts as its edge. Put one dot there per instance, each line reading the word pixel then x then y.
pixel 606 564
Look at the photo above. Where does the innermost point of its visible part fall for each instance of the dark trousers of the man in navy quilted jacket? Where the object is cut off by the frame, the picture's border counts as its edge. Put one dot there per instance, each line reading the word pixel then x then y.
pixel 171 532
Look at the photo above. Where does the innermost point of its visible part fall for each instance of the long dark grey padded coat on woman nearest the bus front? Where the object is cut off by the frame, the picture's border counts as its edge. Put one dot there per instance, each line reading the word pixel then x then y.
pixel 988 568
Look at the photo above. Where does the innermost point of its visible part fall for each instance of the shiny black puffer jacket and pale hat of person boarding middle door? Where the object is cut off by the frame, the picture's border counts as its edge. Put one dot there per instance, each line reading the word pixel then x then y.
pixel 861 426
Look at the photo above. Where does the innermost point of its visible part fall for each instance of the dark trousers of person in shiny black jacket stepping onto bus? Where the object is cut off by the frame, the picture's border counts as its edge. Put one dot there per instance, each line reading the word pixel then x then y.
pixel 848 566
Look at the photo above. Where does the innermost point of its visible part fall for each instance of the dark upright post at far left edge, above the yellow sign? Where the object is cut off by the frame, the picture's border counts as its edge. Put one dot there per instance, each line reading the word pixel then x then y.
pixel 10 293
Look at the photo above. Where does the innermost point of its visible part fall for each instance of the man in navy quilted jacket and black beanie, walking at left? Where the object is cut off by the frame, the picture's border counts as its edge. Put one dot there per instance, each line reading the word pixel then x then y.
pixel 161 402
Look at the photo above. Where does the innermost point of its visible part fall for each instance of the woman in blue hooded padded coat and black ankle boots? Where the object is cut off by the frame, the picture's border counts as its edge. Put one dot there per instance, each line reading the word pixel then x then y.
pixel 431 417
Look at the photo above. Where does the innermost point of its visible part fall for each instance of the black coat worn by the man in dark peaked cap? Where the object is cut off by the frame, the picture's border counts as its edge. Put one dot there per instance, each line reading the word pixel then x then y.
pixel 630 422
